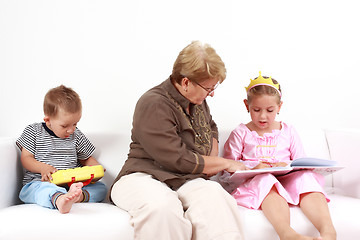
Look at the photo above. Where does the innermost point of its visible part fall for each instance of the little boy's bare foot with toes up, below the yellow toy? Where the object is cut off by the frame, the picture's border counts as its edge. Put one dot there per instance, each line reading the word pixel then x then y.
pixel 65 202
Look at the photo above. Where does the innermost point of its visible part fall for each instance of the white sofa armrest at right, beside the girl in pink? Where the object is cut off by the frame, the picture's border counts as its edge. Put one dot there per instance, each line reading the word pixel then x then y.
pixel 343 146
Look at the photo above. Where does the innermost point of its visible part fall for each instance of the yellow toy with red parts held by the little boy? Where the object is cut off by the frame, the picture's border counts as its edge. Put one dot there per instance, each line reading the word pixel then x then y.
pixel 85 174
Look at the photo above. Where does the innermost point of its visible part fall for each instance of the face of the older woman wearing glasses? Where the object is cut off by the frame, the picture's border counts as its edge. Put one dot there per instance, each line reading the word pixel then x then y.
pixel 197 92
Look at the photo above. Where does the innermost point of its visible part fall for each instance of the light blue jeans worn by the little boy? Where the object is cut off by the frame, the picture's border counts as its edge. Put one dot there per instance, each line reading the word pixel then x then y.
pixel 41 192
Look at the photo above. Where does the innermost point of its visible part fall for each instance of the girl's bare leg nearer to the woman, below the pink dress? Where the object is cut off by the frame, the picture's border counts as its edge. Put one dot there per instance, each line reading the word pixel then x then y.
pixel 277 211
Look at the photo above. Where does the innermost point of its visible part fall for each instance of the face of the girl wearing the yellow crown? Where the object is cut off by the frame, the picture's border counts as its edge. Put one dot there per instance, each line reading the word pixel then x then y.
pixel 263 110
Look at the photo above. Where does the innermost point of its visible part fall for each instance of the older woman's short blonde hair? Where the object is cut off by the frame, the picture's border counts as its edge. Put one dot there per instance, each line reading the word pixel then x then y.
pixel 198 62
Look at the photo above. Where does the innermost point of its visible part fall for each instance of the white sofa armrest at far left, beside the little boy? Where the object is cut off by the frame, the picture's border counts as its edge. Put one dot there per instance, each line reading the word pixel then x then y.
pixel 10 172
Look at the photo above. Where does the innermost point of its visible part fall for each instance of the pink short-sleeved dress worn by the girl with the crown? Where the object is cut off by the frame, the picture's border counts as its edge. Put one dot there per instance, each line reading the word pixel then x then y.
pixel 279 146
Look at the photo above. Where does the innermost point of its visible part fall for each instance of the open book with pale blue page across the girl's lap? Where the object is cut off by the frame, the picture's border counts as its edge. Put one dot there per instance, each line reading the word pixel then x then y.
pixel 318 165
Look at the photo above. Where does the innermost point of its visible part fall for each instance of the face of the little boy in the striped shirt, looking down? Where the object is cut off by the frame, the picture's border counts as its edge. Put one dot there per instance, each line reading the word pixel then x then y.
pixel 63 124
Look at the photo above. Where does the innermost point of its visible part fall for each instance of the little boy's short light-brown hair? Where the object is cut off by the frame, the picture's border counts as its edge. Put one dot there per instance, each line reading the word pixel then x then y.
pixel 61 97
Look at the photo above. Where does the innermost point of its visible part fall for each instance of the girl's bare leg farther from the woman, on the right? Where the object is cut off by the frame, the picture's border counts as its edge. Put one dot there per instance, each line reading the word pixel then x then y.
pixel 316 209
